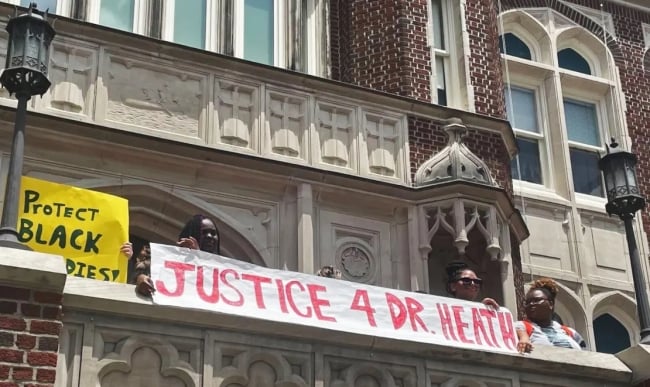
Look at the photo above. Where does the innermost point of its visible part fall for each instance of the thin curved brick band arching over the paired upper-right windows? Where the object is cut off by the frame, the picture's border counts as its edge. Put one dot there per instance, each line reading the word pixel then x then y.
pixel 576 17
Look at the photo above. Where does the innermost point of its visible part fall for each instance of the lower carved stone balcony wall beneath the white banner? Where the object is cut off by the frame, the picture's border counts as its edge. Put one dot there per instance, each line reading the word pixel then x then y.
pixel 111 338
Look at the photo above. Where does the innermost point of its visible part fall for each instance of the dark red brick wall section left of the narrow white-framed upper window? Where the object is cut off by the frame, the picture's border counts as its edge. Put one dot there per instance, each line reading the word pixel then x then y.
pixel 382 45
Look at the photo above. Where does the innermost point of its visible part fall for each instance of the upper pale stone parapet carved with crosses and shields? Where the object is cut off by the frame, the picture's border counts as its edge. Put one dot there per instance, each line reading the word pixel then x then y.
pixel 124 81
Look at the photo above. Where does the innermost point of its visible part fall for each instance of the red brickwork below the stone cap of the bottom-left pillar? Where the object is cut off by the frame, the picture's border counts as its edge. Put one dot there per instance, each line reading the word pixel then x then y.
pixel 30 323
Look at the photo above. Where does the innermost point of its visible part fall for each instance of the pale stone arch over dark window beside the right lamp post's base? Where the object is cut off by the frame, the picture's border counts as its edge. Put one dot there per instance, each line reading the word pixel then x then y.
pixel 620 306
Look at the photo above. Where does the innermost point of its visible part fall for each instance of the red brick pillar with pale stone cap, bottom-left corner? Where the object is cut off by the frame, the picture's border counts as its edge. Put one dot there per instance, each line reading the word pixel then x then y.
pixel 31 292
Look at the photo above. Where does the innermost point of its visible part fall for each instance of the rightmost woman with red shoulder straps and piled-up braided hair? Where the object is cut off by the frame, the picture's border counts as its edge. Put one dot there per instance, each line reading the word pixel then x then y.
pixel 539 324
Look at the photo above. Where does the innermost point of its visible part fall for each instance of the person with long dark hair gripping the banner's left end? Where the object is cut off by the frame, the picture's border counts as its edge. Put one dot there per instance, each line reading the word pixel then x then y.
pixel 199 233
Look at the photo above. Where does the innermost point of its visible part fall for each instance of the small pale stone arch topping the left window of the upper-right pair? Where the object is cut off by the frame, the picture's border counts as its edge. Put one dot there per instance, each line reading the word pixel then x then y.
pixel 530 31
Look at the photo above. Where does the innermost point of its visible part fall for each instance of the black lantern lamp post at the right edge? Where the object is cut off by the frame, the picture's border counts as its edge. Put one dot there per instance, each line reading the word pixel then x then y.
pixel 624 199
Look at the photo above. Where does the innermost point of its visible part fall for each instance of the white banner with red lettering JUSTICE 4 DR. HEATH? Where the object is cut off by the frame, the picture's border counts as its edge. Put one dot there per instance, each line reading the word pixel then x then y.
pixel 194 279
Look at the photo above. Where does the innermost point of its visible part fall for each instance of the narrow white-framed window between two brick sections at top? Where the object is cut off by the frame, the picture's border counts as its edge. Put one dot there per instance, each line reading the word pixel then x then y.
pixel 447 71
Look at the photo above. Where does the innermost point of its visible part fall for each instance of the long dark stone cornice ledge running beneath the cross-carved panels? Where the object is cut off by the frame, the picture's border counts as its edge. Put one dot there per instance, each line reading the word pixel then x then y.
pixel 52 129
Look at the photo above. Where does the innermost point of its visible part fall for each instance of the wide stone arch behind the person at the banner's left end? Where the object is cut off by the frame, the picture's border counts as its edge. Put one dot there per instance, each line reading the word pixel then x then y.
pixel 158 213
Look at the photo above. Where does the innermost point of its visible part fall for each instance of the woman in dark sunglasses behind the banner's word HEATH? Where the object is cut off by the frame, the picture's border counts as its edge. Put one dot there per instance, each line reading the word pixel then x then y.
pixel 463 283
